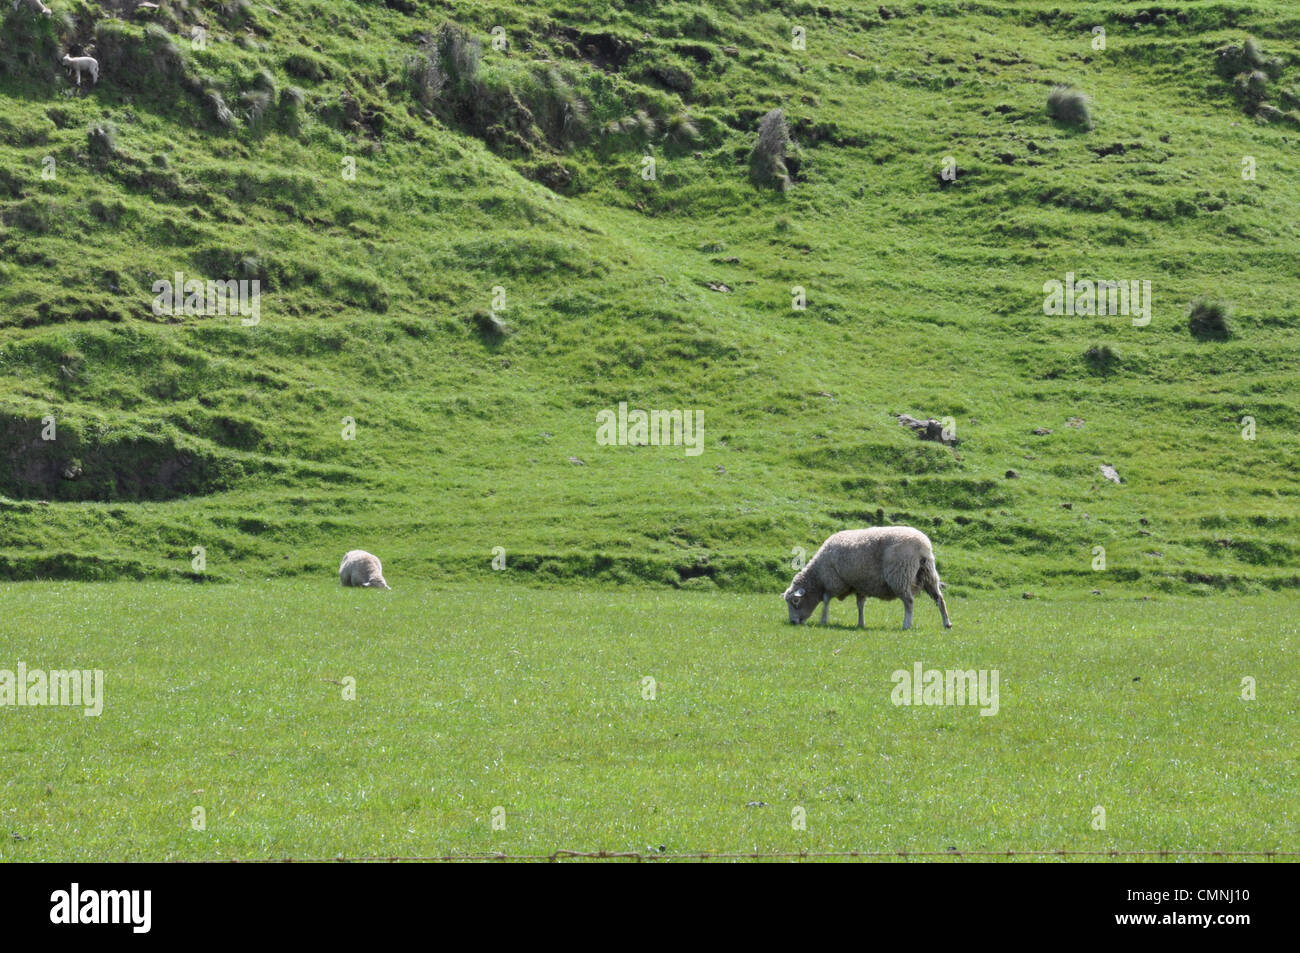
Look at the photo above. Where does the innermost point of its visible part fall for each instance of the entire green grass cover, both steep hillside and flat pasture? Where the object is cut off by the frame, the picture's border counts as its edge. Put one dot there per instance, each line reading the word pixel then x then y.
pixel 463 263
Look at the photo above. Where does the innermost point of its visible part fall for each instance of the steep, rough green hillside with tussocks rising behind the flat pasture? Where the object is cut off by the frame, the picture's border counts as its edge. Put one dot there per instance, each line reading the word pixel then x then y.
pixel 518 174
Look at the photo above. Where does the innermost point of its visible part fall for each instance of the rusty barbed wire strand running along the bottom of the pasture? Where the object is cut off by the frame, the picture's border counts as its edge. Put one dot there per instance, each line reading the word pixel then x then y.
pixel 707 856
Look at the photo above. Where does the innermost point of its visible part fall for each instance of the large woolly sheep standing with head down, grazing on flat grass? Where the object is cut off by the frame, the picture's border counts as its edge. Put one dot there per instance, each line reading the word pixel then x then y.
pixel 885 562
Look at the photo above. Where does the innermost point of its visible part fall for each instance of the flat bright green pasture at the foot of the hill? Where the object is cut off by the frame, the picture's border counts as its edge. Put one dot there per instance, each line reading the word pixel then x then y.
pixel 532 701
